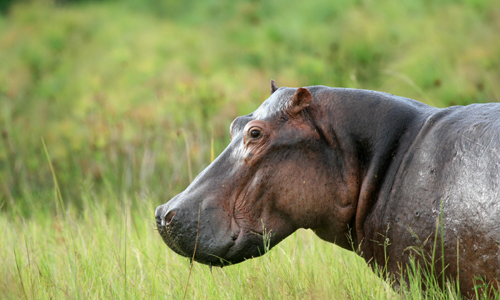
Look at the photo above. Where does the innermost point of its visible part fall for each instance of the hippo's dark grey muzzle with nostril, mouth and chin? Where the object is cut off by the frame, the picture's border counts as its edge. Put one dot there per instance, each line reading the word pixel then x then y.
pixel 188 233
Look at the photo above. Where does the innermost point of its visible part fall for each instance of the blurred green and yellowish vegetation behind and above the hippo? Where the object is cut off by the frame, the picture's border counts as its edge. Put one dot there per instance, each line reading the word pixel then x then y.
pixel 132 97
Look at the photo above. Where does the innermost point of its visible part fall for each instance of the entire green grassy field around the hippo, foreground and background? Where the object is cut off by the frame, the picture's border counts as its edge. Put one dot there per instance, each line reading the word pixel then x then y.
pixel 133 98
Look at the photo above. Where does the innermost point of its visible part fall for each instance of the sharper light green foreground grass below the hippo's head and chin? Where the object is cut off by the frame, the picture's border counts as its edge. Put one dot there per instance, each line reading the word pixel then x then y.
pixel 118 255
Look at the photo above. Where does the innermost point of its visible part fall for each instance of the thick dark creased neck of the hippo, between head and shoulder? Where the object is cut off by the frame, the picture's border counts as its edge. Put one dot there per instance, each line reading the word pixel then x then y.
pixel 372 131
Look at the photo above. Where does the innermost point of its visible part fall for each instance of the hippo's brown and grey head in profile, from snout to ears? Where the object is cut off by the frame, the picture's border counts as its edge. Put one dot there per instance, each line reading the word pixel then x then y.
pixel 279 173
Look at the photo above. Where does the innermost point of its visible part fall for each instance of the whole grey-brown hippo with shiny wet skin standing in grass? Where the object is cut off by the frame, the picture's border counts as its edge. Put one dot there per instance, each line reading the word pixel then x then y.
pixel 356 167
